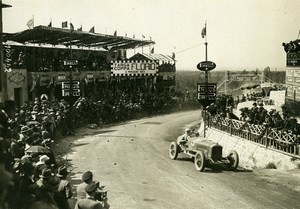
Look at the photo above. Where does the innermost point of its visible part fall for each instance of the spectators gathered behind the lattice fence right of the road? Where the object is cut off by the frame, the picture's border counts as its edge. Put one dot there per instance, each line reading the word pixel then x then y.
pixel 256 115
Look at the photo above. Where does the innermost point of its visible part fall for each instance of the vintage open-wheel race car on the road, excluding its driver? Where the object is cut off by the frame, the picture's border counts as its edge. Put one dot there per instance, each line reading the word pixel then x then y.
pixel 205 153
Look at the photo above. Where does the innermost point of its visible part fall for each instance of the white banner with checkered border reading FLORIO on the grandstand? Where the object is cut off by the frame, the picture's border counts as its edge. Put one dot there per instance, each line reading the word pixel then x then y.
pixel 134 68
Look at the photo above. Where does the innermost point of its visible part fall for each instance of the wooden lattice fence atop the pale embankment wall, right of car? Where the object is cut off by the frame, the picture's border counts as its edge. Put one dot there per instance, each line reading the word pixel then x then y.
pixel 270 138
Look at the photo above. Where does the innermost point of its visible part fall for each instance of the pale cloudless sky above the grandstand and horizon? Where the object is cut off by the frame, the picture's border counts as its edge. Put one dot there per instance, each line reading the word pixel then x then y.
pixel 241 34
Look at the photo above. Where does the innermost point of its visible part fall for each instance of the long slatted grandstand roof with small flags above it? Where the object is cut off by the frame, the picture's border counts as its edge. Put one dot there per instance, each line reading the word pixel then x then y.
pixel 60 36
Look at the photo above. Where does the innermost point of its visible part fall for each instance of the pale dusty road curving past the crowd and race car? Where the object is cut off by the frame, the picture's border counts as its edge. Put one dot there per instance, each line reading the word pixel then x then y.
pixel 132 160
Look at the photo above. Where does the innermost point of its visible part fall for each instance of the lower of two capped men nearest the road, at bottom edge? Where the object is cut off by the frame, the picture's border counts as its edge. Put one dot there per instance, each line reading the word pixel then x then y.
pixel 90 202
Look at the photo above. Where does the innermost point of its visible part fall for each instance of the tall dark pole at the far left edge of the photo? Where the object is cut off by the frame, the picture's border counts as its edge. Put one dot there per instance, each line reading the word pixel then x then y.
pixel 3 72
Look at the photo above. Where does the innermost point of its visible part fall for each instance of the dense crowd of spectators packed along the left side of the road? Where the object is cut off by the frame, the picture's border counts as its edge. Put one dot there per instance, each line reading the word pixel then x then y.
pixel 30 173
